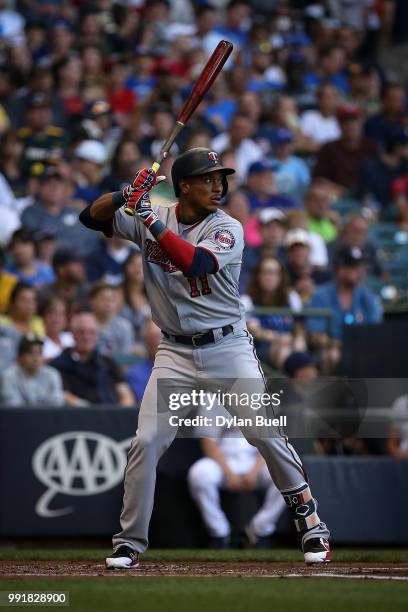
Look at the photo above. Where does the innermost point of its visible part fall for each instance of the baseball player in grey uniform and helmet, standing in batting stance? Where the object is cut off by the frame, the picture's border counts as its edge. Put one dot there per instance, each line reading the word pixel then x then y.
pixel 192 254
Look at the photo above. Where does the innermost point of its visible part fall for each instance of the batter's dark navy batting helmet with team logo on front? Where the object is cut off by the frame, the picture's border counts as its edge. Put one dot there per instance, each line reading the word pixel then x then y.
pixel 195 162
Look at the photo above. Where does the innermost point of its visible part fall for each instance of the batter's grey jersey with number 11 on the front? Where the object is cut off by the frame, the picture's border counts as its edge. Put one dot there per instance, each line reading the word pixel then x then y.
pixel 188 306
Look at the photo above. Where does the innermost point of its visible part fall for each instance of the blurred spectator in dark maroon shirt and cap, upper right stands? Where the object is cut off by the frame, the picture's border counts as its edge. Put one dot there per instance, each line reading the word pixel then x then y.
pixel 340 161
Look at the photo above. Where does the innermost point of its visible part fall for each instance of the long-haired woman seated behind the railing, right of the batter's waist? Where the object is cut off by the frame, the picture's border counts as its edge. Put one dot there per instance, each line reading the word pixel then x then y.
pixel 275 335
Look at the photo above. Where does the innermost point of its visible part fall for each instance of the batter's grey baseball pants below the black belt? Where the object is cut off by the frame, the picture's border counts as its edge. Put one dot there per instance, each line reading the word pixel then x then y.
pixel 232 358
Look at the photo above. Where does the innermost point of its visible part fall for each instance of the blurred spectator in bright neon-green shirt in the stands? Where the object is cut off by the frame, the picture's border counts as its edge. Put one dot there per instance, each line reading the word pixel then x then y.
pixel 321 220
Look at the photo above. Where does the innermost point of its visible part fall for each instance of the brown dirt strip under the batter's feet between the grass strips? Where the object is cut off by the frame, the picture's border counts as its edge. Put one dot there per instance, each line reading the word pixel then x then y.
pixel 375 571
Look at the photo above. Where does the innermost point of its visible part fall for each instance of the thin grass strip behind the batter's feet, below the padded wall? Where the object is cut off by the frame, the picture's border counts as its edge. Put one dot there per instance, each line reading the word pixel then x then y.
pixel 386 555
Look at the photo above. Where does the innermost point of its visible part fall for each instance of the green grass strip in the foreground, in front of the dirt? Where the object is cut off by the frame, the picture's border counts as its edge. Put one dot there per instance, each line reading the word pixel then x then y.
pixel 222 594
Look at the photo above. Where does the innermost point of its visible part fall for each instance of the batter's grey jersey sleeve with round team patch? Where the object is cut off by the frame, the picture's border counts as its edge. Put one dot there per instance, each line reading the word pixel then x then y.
pixel 225 242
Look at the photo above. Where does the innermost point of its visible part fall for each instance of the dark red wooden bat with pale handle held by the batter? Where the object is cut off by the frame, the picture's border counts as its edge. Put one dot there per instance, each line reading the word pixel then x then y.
pixel 207 77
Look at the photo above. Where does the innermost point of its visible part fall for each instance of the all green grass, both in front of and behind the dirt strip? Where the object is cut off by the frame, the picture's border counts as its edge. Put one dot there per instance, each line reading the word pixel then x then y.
pixel 216 594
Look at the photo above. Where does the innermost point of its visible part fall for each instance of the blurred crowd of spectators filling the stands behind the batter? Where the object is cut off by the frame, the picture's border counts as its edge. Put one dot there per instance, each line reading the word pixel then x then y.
pixel 311 110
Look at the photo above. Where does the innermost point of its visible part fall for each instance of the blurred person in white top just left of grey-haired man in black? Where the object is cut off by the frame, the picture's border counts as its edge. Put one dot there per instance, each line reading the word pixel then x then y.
pixel 56 335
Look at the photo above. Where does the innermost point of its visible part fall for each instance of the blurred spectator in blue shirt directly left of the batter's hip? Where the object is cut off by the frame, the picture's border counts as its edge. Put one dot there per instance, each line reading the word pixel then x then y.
pixel 138 375
